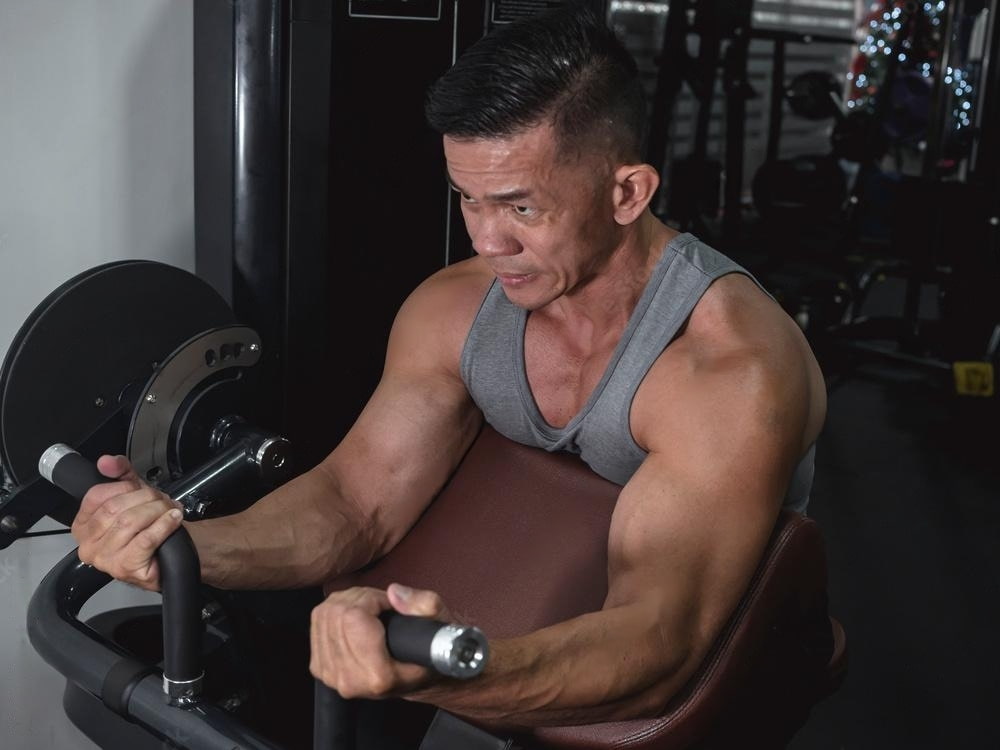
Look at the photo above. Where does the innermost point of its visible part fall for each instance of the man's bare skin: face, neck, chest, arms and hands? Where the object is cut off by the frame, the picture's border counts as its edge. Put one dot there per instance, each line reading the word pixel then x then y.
pixel 725 414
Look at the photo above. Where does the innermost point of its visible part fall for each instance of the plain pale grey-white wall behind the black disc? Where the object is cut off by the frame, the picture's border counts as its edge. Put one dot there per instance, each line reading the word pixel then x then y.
pixel 95 165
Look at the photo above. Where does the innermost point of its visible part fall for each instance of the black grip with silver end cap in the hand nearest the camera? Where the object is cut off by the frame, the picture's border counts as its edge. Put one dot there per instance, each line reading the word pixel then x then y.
pixel 454 650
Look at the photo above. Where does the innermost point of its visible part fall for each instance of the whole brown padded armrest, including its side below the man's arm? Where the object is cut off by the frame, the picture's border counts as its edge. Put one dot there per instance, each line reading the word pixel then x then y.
pixel 517 540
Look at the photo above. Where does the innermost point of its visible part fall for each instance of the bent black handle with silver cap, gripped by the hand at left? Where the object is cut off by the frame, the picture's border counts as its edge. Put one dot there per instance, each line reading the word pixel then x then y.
pixel 180 579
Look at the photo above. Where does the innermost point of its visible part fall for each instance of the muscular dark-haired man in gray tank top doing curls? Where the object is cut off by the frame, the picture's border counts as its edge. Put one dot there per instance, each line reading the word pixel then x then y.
pixel 583 324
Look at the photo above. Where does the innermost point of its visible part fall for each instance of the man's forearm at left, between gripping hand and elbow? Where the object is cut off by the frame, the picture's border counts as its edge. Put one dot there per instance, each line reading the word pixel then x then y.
pixel 302 534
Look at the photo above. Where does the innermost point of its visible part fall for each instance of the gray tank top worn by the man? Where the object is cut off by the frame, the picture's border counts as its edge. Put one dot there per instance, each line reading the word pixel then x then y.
pixel 493 368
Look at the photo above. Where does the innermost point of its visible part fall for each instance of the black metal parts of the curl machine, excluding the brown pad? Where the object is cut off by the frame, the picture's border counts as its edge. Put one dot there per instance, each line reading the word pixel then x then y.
pixel 146 360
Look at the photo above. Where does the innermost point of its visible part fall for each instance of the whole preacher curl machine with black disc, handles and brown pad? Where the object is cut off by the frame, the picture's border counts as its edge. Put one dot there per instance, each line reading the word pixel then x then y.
pixel 143 359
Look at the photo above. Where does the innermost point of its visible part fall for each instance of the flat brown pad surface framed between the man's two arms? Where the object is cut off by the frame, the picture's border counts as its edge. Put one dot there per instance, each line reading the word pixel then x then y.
pixel 516 540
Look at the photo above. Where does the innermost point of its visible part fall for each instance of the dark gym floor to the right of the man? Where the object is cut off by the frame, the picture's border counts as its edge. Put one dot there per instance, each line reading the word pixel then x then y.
pixel 906 495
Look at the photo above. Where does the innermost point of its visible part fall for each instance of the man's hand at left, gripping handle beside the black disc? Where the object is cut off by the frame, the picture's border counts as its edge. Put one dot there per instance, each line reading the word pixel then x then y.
pixel 121 524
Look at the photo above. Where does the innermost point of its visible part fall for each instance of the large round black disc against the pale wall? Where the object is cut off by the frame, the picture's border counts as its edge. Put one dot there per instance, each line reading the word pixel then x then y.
pixel 85 343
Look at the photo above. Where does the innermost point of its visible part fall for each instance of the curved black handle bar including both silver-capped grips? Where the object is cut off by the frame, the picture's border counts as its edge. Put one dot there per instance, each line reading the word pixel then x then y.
pixel 90 660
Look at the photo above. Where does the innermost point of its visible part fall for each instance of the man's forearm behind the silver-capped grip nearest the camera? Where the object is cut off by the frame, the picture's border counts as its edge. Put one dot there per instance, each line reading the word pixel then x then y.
pixel 610 665
